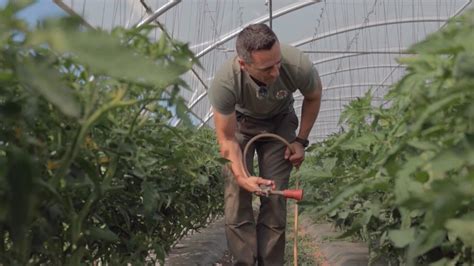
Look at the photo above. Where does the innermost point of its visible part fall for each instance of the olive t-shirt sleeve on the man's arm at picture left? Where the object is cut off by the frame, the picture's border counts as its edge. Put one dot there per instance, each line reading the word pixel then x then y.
pixel 221 95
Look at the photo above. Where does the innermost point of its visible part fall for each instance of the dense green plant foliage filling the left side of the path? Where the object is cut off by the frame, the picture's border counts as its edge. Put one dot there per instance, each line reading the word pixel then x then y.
pixel 90 169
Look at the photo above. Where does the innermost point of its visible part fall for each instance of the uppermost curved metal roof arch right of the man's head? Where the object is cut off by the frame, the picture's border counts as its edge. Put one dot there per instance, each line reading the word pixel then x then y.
pixel 367 25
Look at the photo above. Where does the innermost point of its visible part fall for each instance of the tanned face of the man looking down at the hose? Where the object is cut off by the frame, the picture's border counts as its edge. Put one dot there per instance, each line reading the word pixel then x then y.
pixel 265 65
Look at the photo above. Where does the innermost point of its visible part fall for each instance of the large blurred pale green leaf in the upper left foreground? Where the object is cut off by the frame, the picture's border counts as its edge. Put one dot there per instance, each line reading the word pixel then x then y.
pixel 105 55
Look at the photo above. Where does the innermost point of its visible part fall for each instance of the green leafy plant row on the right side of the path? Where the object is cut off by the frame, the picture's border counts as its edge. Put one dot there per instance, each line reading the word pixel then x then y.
pixel 402 177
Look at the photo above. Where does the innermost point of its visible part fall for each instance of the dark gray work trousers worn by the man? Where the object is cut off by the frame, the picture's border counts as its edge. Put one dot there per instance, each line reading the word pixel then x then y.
pixel 264 242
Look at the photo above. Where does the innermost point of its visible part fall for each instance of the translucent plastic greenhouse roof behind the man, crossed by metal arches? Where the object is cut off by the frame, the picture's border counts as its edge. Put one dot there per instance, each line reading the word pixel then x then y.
pixel 352 43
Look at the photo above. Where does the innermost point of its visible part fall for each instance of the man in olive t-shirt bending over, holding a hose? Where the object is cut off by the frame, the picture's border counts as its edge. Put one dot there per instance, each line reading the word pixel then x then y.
pixel 252 94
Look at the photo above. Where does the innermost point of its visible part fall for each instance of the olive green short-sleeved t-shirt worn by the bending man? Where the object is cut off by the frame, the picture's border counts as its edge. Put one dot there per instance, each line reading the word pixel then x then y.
pixel 234 90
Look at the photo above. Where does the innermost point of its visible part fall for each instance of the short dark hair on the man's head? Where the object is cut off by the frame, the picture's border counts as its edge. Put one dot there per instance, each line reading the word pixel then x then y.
pixel 252 38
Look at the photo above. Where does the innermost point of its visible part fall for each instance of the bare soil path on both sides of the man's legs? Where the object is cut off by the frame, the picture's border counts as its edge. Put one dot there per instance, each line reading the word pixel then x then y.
pixel 317 246
